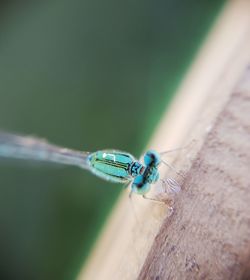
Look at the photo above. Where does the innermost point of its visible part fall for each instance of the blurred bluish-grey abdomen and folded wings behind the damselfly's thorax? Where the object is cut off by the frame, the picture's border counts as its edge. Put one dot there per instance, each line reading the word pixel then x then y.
pixel 30 148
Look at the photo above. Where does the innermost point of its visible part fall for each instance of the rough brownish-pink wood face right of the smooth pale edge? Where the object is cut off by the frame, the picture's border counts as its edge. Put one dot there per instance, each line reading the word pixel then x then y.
pixel 208 236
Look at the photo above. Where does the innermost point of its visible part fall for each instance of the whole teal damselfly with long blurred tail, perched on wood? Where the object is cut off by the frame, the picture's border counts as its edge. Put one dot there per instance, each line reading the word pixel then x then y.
pixel 110 165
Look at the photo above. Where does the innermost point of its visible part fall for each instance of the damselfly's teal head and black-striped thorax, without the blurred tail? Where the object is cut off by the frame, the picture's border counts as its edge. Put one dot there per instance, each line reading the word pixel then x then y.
pixel 121 167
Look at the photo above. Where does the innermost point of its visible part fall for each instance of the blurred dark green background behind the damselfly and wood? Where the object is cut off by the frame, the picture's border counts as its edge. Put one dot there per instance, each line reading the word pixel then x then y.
pixel 87 75
